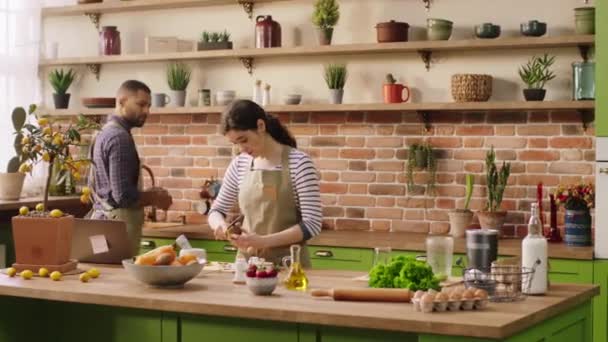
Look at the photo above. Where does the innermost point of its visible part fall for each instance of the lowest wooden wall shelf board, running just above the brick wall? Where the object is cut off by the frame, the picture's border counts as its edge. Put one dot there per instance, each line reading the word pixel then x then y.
pixel 498 106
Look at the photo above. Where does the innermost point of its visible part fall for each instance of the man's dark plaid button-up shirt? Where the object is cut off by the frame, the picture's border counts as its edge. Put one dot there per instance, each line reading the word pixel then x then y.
pixel 116 165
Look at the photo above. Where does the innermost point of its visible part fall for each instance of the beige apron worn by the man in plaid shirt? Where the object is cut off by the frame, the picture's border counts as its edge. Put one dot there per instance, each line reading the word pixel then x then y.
pixel 132 216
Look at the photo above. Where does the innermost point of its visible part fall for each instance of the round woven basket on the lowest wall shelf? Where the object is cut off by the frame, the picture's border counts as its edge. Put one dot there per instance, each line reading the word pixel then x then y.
pixel 471 87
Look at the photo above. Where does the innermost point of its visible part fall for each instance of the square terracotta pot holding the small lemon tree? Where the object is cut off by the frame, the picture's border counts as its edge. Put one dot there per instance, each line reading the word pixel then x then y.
pixel 42 241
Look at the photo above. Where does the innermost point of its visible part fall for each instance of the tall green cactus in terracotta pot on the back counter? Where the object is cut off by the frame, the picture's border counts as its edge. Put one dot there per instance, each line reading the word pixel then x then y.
pixel 496 182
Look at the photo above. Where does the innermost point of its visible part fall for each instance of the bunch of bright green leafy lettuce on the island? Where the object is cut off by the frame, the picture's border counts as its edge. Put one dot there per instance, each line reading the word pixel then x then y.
pixel 403 272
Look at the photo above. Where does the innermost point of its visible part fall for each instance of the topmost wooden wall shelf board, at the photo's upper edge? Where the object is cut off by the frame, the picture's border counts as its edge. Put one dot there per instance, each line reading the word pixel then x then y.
pixel 136 5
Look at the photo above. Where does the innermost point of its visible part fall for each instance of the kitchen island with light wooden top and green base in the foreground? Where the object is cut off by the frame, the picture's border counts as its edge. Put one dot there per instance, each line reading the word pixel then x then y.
pixel 115 307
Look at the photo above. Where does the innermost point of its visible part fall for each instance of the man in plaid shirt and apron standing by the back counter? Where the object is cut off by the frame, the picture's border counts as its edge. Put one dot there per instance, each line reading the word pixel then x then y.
pixel 116 171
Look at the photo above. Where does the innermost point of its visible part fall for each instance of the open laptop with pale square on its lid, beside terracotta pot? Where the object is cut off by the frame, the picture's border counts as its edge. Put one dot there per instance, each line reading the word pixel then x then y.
pixel 100 241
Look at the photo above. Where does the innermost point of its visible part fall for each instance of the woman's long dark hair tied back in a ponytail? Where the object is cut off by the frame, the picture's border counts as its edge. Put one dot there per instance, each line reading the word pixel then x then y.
pixel 243 115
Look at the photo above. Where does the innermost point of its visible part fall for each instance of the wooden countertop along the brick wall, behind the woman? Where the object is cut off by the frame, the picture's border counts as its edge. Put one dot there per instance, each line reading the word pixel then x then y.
pixel 398 241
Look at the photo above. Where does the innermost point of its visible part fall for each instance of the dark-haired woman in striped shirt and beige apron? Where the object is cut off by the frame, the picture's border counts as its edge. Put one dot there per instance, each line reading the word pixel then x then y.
pixel 276 185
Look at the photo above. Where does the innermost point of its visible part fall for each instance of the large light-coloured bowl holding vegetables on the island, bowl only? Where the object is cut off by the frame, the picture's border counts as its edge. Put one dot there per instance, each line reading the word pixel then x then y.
pixel 162 276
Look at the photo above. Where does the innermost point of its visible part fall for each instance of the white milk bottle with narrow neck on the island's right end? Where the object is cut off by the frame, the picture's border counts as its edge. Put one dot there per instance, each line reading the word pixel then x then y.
pixel 534 253
